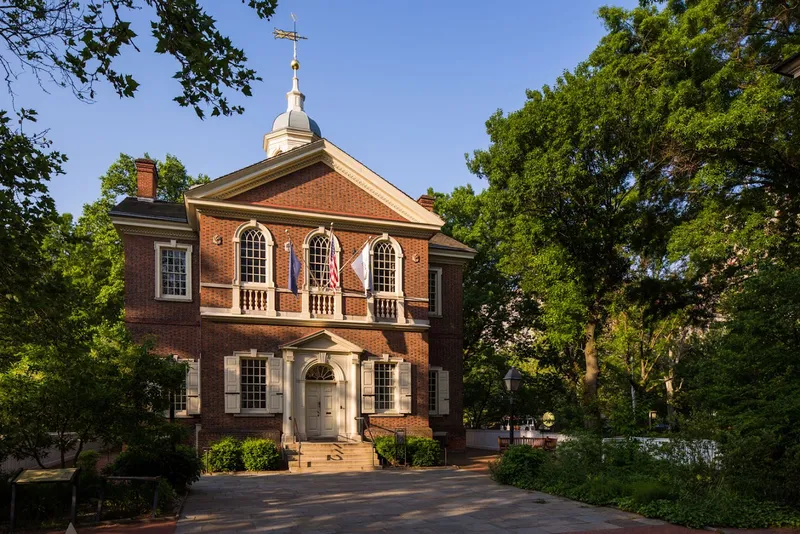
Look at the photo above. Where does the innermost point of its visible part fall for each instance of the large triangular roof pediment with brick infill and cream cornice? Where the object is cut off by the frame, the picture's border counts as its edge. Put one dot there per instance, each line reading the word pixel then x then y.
pixel 317 177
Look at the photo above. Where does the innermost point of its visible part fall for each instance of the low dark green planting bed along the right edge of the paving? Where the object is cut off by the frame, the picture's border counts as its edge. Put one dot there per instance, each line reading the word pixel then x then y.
pixel 670 482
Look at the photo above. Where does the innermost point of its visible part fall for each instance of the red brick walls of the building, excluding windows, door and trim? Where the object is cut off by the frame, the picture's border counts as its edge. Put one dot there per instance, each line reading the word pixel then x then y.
pixel 201 330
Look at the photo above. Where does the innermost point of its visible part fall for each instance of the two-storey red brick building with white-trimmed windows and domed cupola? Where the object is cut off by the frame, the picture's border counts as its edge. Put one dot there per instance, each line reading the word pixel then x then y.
pixel 208 280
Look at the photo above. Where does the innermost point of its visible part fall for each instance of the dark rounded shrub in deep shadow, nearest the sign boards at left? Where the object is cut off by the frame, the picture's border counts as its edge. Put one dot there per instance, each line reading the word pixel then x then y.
pixel 180 466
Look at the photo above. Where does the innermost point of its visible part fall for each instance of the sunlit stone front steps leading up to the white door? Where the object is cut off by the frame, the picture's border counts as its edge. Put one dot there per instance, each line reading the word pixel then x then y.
pixel 331 457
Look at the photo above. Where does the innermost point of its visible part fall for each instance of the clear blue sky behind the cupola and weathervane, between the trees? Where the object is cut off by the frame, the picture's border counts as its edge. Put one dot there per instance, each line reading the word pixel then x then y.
pixel 404 87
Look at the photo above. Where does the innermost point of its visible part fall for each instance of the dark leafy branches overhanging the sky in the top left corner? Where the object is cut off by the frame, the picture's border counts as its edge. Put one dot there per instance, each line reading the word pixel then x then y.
pixel 75 44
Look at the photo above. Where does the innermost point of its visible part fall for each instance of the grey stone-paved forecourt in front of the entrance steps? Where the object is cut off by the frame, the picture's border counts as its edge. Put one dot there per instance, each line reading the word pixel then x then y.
pixel 431 501
